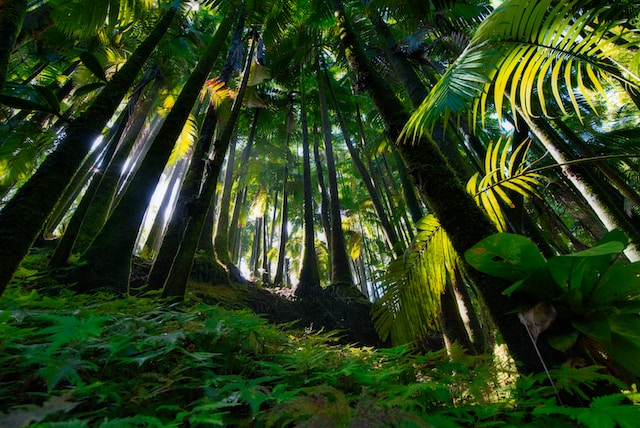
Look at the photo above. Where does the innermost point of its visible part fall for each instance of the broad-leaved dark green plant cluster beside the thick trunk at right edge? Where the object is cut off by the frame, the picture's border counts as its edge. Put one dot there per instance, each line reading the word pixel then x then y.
pixel 595 295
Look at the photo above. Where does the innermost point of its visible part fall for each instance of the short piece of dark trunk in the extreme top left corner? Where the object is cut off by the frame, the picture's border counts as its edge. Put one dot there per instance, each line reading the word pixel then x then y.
pixel 12 13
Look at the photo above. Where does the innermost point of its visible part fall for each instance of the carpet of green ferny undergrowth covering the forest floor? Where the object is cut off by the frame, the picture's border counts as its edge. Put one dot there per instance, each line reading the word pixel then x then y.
pixel 74 360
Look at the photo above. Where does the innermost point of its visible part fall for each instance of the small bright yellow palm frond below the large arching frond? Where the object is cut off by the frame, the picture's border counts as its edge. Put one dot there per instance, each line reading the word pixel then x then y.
pixel 502 172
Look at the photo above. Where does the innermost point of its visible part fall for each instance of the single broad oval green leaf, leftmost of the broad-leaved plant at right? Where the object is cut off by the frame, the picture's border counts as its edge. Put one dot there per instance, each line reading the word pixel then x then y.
pixel 505 255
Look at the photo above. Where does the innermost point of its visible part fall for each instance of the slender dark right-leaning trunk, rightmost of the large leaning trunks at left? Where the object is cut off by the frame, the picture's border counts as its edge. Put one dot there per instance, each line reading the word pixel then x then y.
pixel 181 269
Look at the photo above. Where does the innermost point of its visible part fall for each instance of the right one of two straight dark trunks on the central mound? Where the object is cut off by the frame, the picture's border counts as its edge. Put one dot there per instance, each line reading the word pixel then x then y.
pixel 340 264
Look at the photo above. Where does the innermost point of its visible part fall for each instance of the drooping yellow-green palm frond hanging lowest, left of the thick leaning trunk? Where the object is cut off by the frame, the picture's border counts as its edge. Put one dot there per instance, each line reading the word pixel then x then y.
pixel 411 288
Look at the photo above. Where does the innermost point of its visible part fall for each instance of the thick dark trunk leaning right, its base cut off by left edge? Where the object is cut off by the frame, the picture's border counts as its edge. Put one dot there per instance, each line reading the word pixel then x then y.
pixel 24 215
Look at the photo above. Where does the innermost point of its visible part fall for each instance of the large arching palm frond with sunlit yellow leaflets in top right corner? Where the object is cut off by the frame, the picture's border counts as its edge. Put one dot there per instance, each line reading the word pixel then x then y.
pixel 528 48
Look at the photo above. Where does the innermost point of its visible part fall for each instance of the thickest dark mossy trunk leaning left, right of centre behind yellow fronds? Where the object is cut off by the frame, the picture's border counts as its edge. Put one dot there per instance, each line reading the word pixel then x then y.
pixel 465 223
